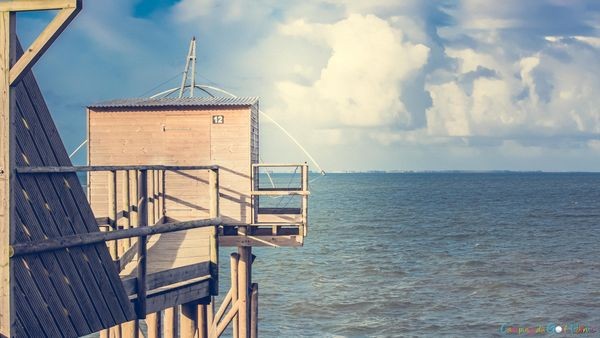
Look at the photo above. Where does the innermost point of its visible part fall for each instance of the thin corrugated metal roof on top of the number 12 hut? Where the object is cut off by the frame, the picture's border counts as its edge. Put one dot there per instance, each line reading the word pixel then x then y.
pixel 177 102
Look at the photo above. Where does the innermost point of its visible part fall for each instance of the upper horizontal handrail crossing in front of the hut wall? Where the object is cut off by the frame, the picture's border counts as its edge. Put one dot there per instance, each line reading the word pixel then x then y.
pixel 70 169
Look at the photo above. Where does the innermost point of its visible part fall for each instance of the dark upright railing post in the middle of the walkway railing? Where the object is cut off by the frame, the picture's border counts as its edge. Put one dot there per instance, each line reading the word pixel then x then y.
pixel 142 222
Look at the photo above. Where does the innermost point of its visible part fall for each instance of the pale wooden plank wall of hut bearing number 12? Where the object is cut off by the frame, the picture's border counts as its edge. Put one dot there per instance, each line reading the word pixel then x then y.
pixel 177 137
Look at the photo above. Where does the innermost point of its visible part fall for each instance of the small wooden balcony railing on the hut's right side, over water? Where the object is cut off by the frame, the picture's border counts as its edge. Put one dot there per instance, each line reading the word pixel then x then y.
pixel 296 217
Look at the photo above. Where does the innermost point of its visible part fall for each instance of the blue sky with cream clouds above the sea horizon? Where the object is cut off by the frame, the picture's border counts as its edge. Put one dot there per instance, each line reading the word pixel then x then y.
pixel 363 85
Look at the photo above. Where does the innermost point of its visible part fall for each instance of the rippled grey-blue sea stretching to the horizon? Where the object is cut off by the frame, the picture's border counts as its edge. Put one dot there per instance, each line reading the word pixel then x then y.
pixel 438 255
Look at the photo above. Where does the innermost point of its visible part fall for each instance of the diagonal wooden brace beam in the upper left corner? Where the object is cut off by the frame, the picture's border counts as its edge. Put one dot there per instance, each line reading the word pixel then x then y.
pixel 43 41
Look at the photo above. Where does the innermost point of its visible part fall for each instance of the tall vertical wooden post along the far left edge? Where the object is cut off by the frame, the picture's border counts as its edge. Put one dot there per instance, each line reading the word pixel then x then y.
pixel 7 163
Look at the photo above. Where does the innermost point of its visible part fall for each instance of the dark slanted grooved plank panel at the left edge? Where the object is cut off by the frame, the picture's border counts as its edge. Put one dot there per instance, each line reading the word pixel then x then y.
pixel 69 292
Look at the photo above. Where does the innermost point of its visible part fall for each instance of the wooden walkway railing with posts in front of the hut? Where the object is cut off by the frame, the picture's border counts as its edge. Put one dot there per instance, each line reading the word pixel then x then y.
pixel 144 185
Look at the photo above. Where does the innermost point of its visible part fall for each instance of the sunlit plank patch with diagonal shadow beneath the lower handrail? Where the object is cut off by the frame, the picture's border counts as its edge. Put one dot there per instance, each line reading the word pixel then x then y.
pixel 174 250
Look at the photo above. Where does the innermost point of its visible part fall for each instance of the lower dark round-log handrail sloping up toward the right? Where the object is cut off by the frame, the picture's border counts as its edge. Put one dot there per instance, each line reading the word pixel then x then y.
pixel 51 244
